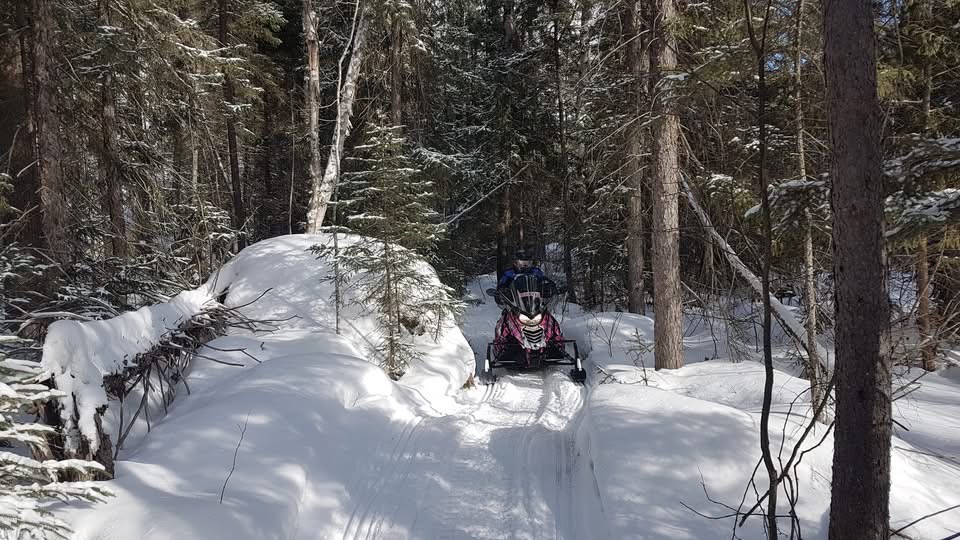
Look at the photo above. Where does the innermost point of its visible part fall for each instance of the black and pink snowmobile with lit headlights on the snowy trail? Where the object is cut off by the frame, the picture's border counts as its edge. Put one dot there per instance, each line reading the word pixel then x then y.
pixel 527 337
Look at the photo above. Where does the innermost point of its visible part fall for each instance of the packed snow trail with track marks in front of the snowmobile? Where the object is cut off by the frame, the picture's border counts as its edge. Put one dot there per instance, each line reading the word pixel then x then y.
pixel 501 465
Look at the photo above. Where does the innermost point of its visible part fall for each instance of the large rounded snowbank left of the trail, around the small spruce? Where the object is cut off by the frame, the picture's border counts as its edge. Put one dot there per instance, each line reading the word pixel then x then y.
pixel 281 439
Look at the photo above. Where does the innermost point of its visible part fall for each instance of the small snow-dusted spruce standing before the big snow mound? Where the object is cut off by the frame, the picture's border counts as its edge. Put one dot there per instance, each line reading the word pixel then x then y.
pixel 387 200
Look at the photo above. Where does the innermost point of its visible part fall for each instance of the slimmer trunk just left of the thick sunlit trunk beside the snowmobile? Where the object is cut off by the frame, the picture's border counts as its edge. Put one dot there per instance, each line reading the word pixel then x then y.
pixel 638 63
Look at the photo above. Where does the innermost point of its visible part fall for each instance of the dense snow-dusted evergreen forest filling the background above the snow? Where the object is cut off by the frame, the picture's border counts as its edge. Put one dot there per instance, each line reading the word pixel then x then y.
pixel 144 142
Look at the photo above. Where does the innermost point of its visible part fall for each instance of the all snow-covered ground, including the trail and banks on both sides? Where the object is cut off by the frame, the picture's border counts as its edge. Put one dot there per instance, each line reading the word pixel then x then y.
pixel 311 440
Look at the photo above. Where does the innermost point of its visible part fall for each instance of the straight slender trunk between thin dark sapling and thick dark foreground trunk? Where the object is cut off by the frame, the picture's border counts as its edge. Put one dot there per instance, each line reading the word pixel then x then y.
pixel 810 283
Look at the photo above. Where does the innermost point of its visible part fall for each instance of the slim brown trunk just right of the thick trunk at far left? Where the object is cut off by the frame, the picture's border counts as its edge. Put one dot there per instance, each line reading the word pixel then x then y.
pixel 110 159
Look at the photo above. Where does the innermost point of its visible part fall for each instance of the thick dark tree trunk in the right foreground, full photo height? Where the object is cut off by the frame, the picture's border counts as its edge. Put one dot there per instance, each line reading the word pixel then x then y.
pixel 861 457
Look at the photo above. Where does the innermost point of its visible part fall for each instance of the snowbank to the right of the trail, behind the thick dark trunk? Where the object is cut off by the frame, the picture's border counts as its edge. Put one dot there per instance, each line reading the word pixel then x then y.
pixel 658 439
